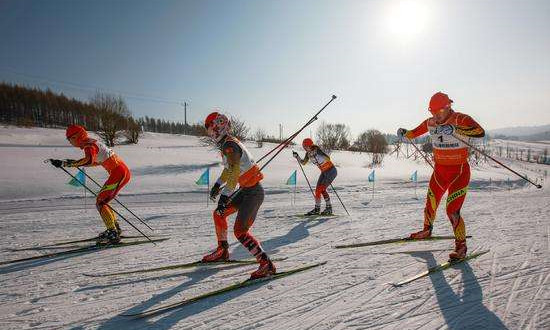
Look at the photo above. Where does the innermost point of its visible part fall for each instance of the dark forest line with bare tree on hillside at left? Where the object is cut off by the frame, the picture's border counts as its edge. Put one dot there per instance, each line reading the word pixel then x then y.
pixel 106 114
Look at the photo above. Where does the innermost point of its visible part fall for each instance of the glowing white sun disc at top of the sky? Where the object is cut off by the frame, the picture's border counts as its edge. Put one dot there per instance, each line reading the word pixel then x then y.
pixel 407 19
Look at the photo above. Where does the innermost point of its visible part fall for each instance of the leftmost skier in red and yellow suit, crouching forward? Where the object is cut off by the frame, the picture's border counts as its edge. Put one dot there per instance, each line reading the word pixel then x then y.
pixel 96 153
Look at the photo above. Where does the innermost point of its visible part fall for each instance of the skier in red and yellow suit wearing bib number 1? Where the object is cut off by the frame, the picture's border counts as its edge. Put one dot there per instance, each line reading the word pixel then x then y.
pixel 451 170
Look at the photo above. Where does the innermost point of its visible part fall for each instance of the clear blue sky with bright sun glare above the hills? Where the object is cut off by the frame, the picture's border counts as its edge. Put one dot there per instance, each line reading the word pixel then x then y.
pixel 278 62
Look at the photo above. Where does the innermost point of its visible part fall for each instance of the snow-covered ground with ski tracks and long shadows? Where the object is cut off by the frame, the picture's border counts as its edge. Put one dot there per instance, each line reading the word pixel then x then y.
pixel 509 287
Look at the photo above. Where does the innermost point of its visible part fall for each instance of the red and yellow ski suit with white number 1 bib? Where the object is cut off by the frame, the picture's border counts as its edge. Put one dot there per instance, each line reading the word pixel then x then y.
pixel 452 171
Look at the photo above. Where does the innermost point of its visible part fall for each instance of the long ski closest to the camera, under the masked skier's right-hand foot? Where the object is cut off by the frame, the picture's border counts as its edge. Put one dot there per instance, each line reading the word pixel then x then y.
pixel 233 287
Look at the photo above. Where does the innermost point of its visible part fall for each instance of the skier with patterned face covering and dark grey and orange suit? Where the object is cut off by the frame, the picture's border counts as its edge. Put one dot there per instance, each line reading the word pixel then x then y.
pixel 239 168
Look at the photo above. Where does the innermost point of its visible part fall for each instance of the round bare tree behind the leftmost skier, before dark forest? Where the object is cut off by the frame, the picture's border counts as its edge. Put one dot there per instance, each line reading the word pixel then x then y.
pixel 113 116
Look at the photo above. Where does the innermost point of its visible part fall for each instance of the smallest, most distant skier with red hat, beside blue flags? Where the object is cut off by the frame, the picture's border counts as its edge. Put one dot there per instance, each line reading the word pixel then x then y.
pixel 328 174
